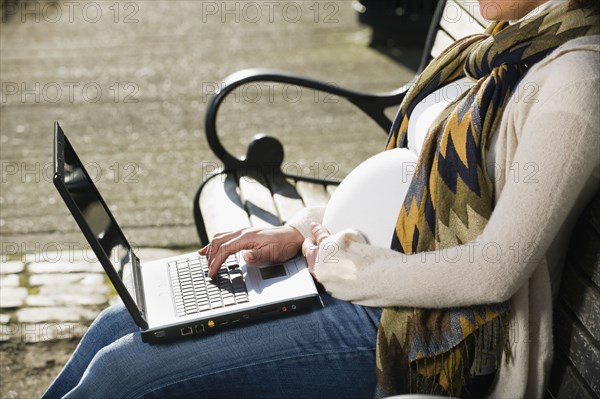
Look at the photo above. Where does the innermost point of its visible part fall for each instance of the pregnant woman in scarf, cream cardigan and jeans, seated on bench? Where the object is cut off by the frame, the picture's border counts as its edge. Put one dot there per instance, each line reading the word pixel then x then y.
pixel 439 258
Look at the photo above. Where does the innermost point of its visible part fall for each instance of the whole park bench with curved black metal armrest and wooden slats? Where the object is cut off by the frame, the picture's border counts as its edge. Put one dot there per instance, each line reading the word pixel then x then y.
pixel 254 191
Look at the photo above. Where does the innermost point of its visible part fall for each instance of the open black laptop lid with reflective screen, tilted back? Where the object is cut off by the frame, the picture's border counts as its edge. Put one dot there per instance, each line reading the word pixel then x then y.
pixel 95 221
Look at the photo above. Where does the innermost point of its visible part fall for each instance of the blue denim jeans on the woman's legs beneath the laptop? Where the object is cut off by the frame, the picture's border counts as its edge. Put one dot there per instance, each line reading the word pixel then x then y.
pixel 327 352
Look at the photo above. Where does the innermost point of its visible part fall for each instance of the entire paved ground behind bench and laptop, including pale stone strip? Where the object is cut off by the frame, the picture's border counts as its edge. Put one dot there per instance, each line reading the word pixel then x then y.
pixel 129 81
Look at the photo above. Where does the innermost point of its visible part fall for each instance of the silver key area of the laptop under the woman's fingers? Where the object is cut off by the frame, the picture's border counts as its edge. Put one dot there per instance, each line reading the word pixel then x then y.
pixel 195 292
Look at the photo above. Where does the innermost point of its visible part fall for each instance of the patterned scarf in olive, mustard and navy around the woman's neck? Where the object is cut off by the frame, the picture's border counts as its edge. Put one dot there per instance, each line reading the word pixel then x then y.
pixel 451 197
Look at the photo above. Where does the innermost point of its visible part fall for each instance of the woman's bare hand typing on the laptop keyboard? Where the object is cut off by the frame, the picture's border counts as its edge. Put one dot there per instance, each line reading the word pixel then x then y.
pixel 275 244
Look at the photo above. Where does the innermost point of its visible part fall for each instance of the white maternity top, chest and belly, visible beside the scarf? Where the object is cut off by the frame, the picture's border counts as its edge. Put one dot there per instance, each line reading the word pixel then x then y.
pixel 369 198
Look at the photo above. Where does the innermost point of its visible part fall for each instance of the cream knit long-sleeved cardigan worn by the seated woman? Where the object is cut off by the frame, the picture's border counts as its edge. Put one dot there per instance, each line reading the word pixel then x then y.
pixel 549 154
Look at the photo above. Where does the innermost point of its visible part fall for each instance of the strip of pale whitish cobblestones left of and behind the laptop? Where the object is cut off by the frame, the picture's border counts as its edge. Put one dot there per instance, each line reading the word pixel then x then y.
pixel 57 297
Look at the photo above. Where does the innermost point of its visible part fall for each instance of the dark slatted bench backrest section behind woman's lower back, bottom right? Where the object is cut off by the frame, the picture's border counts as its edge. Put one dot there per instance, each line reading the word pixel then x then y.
pixel 576 366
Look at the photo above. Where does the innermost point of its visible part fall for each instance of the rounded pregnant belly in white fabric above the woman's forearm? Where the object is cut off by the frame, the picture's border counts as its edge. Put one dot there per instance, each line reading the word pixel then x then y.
pixel 370 197
